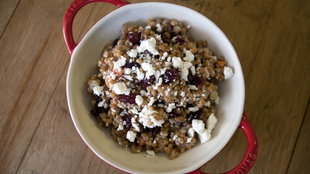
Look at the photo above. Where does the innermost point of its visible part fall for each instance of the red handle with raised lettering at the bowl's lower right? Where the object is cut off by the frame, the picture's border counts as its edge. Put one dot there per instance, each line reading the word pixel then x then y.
pixel 251 152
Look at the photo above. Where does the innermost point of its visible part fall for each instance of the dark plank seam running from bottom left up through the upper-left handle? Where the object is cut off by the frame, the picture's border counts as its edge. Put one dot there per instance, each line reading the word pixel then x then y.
pixel 53 93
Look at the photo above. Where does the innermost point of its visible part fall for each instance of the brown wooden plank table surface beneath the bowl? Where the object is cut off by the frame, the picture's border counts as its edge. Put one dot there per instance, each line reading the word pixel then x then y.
pixel 271 37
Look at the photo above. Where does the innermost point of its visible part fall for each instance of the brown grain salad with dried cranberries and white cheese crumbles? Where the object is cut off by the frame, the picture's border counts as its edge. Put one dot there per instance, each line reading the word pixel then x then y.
pixel 156 88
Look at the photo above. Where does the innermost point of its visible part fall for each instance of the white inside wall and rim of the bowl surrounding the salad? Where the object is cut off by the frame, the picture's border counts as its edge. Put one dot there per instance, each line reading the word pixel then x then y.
pixel 84 63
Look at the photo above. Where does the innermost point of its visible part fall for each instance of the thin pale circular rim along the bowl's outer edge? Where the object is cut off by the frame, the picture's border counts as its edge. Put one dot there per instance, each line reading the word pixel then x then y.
pixel 87 35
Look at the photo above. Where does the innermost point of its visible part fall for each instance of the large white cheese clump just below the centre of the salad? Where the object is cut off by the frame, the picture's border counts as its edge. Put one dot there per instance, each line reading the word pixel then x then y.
pixel 147 119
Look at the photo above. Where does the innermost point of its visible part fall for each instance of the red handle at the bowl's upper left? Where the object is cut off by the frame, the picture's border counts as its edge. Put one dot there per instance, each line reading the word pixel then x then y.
pixel 70 14
